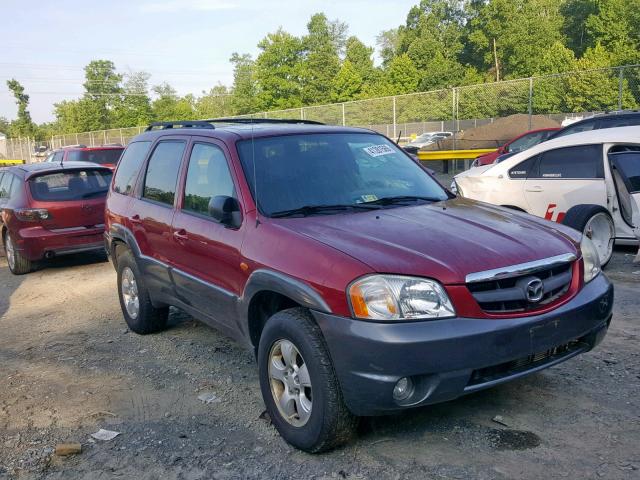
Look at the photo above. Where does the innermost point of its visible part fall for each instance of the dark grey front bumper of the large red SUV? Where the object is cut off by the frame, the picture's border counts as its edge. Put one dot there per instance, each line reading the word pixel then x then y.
pixel 452 357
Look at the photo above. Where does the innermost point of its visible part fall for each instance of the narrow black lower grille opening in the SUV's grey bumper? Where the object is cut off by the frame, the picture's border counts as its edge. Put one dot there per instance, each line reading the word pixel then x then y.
pixel 496 372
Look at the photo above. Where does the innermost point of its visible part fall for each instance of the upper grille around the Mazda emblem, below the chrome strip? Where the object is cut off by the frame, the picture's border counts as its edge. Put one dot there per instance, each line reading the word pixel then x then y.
pixel 509 295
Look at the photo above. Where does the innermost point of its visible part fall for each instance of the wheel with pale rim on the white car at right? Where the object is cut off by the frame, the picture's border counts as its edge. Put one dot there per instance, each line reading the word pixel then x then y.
pixel 595 222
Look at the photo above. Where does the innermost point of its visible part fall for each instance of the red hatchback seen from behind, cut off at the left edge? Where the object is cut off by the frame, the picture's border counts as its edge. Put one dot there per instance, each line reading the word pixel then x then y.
pixel 47 209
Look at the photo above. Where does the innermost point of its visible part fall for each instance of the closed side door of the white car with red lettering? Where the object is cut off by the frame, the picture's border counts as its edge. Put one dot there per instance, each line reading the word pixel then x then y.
pixel 565 177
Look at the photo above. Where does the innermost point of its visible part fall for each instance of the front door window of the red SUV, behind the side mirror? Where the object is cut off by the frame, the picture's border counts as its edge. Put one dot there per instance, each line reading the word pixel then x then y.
pixel 208 176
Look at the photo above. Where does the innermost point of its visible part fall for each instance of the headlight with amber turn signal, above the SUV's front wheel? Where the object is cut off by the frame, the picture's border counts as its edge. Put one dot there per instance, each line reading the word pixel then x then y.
pixel 394 297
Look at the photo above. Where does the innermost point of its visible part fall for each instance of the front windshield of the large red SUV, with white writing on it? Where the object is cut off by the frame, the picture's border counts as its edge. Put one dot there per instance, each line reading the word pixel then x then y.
pixel 301 171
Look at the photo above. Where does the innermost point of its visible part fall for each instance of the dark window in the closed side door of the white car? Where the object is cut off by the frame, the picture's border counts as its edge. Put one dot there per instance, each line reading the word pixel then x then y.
pixel 579 162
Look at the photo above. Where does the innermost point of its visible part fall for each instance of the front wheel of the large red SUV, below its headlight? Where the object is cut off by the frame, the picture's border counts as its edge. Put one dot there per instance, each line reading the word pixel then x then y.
pixel 329 423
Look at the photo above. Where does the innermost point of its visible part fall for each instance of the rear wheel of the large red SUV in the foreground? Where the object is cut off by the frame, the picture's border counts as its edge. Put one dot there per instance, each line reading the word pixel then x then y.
pixel 142 318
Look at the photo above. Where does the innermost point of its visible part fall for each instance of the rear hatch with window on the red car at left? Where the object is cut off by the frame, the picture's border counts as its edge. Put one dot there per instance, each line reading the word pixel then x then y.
pixel 74 198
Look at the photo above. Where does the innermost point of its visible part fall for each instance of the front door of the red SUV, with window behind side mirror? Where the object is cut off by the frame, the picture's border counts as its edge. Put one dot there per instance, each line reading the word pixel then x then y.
pixel 208 274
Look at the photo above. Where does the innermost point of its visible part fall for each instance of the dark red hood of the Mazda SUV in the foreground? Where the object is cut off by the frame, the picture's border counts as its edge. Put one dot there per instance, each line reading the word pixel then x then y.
pixel 445 240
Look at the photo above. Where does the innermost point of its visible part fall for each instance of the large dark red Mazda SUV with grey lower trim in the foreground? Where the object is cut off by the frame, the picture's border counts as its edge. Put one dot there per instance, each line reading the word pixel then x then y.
pixel 361 284
